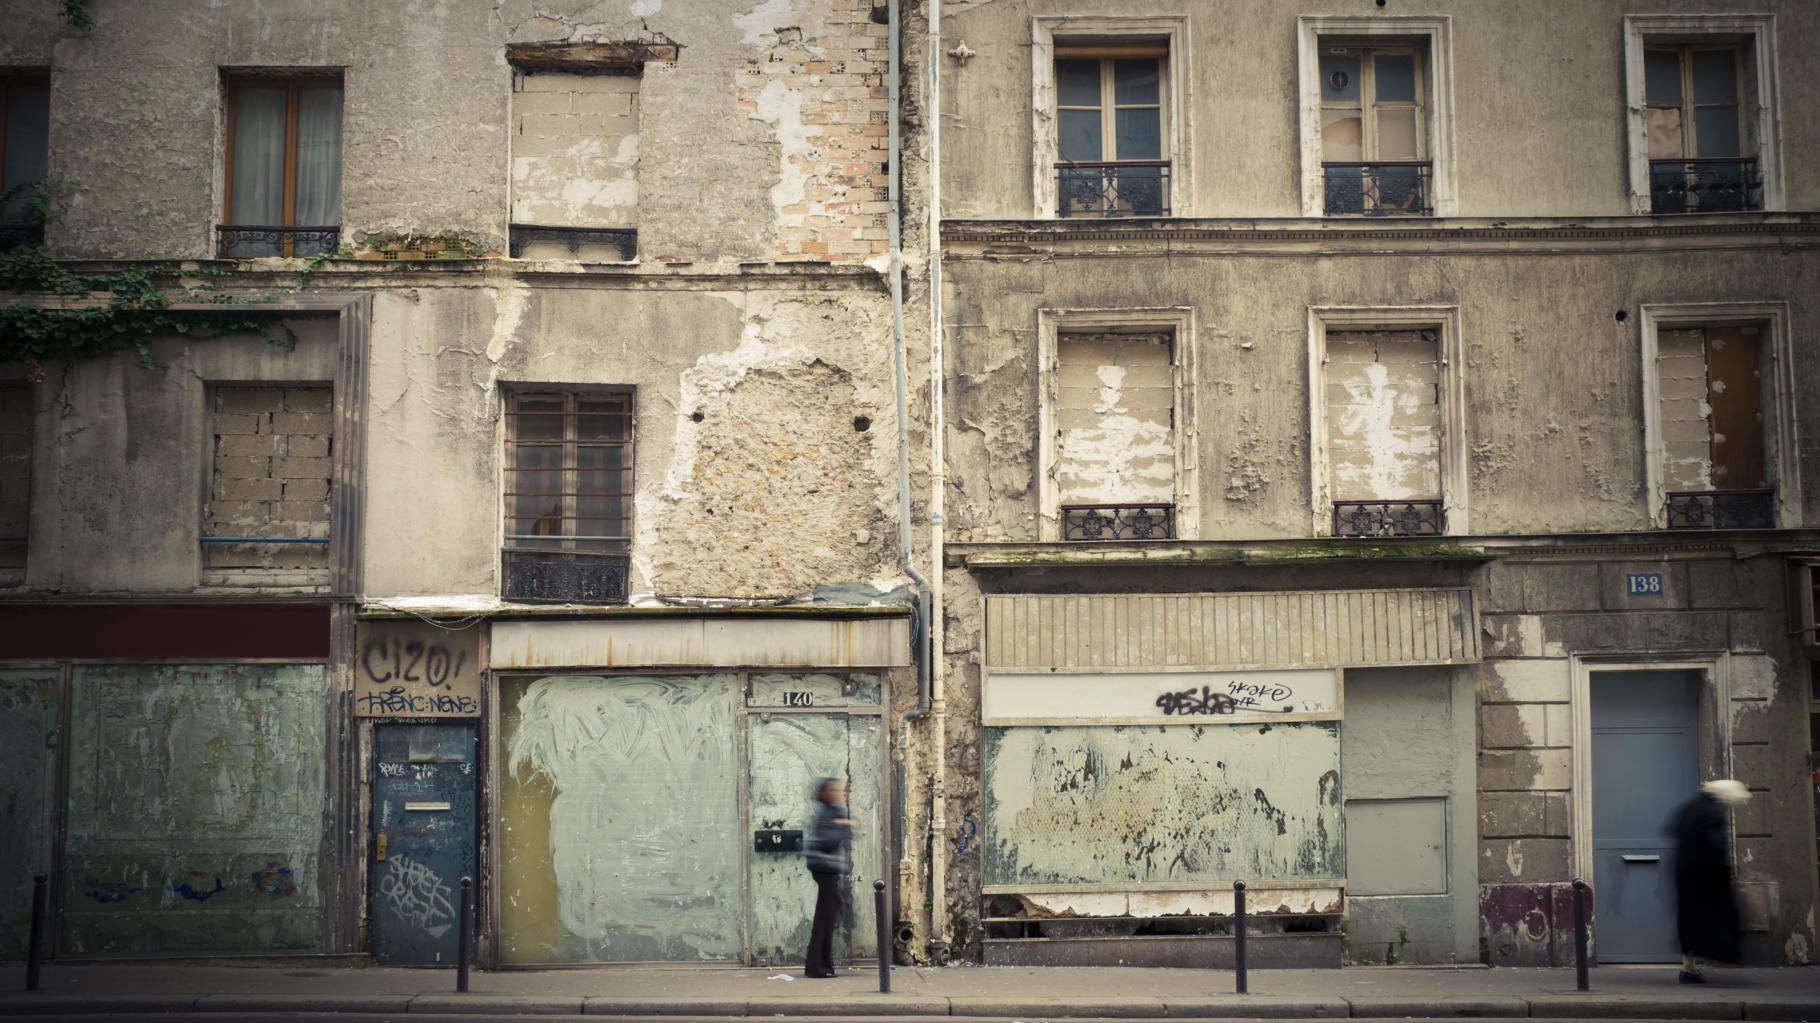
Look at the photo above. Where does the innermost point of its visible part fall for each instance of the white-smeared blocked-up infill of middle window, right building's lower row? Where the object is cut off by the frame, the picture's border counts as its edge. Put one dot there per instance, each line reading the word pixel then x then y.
pixel 1384 416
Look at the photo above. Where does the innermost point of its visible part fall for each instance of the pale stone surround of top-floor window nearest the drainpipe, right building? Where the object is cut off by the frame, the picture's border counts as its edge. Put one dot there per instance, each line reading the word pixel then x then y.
pixel 1178 99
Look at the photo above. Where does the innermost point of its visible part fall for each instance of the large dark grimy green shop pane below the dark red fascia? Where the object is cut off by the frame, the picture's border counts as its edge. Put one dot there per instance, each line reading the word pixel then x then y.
pixel 196 813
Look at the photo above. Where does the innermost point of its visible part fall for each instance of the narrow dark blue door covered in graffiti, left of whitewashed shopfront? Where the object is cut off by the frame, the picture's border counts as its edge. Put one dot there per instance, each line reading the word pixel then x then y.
pixel 423 840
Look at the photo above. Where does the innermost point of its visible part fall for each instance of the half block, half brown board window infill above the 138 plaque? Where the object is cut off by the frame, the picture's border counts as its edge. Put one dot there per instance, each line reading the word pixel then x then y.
pixel 1712 409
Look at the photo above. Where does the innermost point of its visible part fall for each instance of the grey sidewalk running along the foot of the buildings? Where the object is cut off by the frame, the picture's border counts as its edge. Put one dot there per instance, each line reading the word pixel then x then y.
pixel 1016 993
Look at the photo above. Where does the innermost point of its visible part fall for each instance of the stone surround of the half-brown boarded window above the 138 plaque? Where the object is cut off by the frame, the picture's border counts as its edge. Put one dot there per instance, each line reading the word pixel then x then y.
pixel 1779 427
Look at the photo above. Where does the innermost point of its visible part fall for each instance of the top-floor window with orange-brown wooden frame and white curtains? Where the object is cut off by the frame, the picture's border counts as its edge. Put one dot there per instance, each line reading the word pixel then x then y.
pixel 283 167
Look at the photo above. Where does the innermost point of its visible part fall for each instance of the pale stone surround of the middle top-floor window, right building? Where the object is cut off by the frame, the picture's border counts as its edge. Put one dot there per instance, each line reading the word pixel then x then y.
pixel 1437 35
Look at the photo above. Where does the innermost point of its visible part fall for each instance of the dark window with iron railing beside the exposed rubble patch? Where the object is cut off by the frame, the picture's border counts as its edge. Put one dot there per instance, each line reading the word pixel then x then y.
pixel 569 496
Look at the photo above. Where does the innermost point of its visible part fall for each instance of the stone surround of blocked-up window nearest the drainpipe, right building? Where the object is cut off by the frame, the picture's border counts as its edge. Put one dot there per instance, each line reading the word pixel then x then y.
pixel 1175 319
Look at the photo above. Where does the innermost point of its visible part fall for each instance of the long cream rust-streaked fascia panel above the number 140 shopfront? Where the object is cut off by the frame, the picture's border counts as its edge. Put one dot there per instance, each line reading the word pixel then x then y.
pixel 718 643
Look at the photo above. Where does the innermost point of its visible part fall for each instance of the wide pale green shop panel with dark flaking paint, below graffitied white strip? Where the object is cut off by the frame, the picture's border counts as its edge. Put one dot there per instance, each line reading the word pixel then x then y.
pixel 1115 807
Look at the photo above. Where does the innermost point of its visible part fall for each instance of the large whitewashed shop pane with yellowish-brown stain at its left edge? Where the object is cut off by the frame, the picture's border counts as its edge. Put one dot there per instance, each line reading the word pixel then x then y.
pixel 620 820
